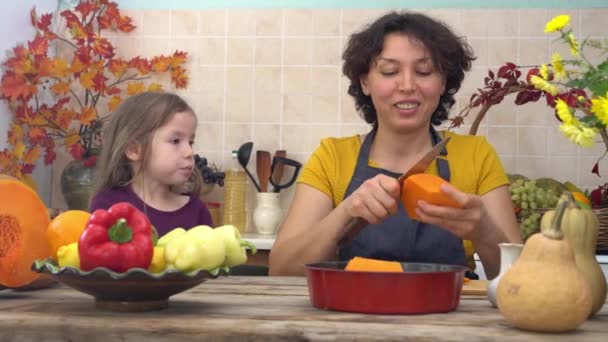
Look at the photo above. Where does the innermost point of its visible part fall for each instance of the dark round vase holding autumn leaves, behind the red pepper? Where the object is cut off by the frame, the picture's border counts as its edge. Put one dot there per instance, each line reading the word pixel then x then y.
pixel 77 182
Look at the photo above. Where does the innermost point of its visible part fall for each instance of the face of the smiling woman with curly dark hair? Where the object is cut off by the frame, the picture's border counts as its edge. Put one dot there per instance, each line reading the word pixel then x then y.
pixel 403 83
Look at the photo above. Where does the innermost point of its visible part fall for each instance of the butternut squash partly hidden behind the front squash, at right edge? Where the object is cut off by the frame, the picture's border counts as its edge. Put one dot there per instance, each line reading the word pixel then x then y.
pixel 581 228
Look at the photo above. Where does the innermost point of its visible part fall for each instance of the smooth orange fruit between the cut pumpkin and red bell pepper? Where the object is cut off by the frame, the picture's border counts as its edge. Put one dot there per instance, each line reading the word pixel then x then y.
pixel 66 228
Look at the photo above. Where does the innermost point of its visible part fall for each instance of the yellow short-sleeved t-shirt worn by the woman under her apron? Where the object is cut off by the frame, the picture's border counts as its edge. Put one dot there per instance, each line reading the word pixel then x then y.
pixel 474 168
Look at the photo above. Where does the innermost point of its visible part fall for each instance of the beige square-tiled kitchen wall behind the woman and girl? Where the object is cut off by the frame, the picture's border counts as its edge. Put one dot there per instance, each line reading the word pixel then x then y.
pixel 273 76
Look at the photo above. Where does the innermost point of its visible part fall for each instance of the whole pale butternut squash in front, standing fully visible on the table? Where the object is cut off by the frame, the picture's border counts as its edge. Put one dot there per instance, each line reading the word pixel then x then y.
pixel 544 290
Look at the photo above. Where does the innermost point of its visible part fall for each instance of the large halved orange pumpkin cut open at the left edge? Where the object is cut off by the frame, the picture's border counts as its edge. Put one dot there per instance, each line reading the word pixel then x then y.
pixel 23 223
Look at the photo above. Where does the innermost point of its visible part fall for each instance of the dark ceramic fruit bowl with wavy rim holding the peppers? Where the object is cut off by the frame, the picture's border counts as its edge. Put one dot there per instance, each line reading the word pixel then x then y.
pixel 134 290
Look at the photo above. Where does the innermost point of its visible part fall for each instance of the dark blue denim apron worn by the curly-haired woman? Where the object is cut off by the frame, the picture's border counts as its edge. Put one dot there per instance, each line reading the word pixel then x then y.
pixel 398 237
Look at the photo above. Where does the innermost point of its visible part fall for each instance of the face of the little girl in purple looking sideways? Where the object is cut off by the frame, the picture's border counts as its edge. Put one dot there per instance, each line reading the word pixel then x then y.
pixel 171 159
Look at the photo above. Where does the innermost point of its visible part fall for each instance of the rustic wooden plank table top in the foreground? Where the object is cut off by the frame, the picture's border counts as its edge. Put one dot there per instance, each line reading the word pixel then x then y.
pixel 254 308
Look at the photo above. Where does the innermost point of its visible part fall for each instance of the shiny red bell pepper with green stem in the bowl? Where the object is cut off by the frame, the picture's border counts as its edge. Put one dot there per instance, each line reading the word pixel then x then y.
pixel 118 239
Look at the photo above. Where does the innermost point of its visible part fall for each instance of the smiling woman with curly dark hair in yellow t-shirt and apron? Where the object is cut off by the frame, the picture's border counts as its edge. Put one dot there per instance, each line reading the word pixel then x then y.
pixel 404 70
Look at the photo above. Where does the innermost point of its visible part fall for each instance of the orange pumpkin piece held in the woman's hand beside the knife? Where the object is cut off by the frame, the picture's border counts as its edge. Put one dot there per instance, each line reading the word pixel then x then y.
pixel 424 187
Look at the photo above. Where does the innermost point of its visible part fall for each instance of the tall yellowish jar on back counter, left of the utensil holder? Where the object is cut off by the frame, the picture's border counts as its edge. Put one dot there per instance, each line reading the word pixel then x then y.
pixel 235 200
